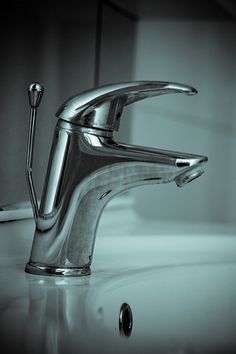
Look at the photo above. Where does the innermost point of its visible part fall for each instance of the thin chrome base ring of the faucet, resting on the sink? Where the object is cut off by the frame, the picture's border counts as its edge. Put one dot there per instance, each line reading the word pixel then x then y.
pixel 41 269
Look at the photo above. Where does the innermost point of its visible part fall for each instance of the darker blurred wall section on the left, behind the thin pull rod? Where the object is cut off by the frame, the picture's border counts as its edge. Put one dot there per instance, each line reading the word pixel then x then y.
pixel 68 47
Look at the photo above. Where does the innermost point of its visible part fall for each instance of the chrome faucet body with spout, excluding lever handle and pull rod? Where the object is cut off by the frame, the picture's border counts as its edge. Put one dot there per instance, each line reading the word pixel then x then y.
pixel 86 169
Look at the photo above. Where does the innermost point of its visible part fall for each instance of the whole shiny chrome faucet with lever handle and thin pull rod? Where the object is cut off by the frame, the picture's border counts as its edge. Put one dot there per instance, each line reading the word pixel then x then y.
pixel 87 168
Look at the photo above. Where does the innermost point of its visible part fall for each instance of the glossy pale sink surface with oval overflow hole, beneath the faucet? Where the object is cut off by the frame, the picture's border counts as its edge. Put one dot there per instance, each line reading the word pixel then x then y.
pixel 170 294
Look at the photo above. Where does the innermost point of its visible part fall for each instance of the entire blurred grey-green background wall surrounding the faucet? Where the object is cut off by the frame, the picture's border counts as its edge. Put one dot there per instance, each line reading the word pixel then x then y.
pixel 73 46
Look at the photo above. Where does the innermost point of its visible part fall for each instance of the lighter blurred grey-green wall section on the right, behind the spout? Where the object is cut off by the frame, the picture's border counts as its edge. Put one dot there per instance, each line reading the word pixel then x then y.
pixel 203 54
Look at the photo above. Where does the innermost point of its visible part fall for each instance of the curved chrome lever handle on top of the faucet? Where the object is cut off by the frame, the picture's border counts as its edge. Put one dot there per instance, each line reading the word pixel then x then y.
pixel 101 108
